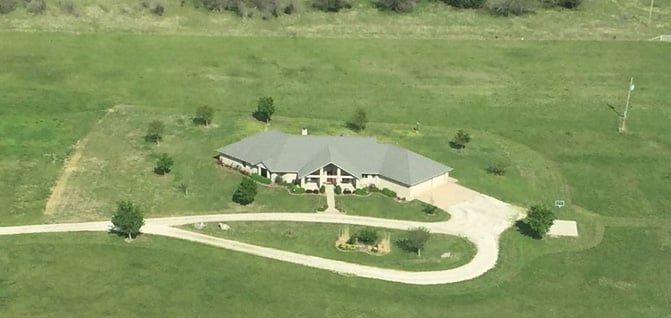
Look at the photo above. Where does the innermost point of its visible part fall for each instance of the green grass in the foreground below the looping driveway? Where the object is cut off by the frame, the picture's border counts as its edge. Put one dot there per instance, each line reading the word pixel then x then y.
pixel 548 278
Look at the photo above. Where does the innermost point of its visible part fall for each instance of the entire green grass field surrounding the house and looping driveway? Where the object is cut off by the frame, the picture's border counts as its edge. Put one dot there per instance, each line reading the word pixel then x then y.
pixel 543 105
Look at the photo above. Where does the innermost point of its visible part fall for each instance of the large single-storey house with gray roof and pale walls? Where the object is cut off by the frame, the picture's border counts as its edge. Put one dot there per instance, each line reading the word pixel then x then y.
pixel 351 162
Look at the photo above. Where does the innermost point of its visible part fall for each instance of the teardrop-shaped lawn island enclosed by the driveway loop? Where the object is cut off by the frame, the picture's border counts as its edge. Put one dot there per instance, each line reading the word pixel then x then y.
pixel 318 239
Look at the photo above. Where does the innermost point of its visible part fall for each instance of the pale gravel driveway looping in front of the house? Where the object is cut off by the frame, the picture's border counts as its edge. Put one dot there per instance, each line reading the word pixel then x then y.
pixel 479 218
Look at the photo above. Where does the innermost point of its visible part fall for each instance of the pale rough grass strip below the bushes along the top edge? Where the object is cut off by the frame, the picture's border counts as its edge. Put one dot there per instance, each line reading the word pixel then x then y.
pixel 594 20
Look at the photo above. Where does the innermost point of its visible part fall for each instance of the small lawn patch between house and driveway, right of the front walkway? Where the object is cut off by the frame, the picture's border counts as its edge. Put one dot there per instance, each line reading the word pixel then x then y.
pixel 378 205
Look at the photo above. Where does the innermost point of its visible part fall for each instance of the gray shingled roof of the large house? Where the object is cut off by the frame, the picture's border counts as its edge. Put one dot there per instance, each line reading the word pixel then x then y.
pixel 281 152
